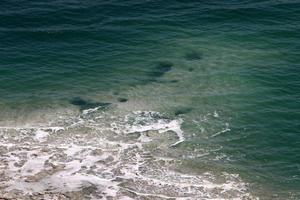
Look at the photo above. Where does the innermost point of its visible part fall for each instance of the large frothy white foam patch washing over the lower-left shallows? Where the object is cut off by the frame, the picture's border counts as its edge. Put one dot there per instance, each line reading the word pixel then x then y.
pixel 105 157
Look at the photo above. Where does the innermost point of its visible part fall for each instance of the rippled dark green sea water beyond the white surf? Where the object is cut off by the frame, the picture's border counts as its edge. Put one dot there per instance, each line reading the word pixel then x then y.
pixel 229 69
